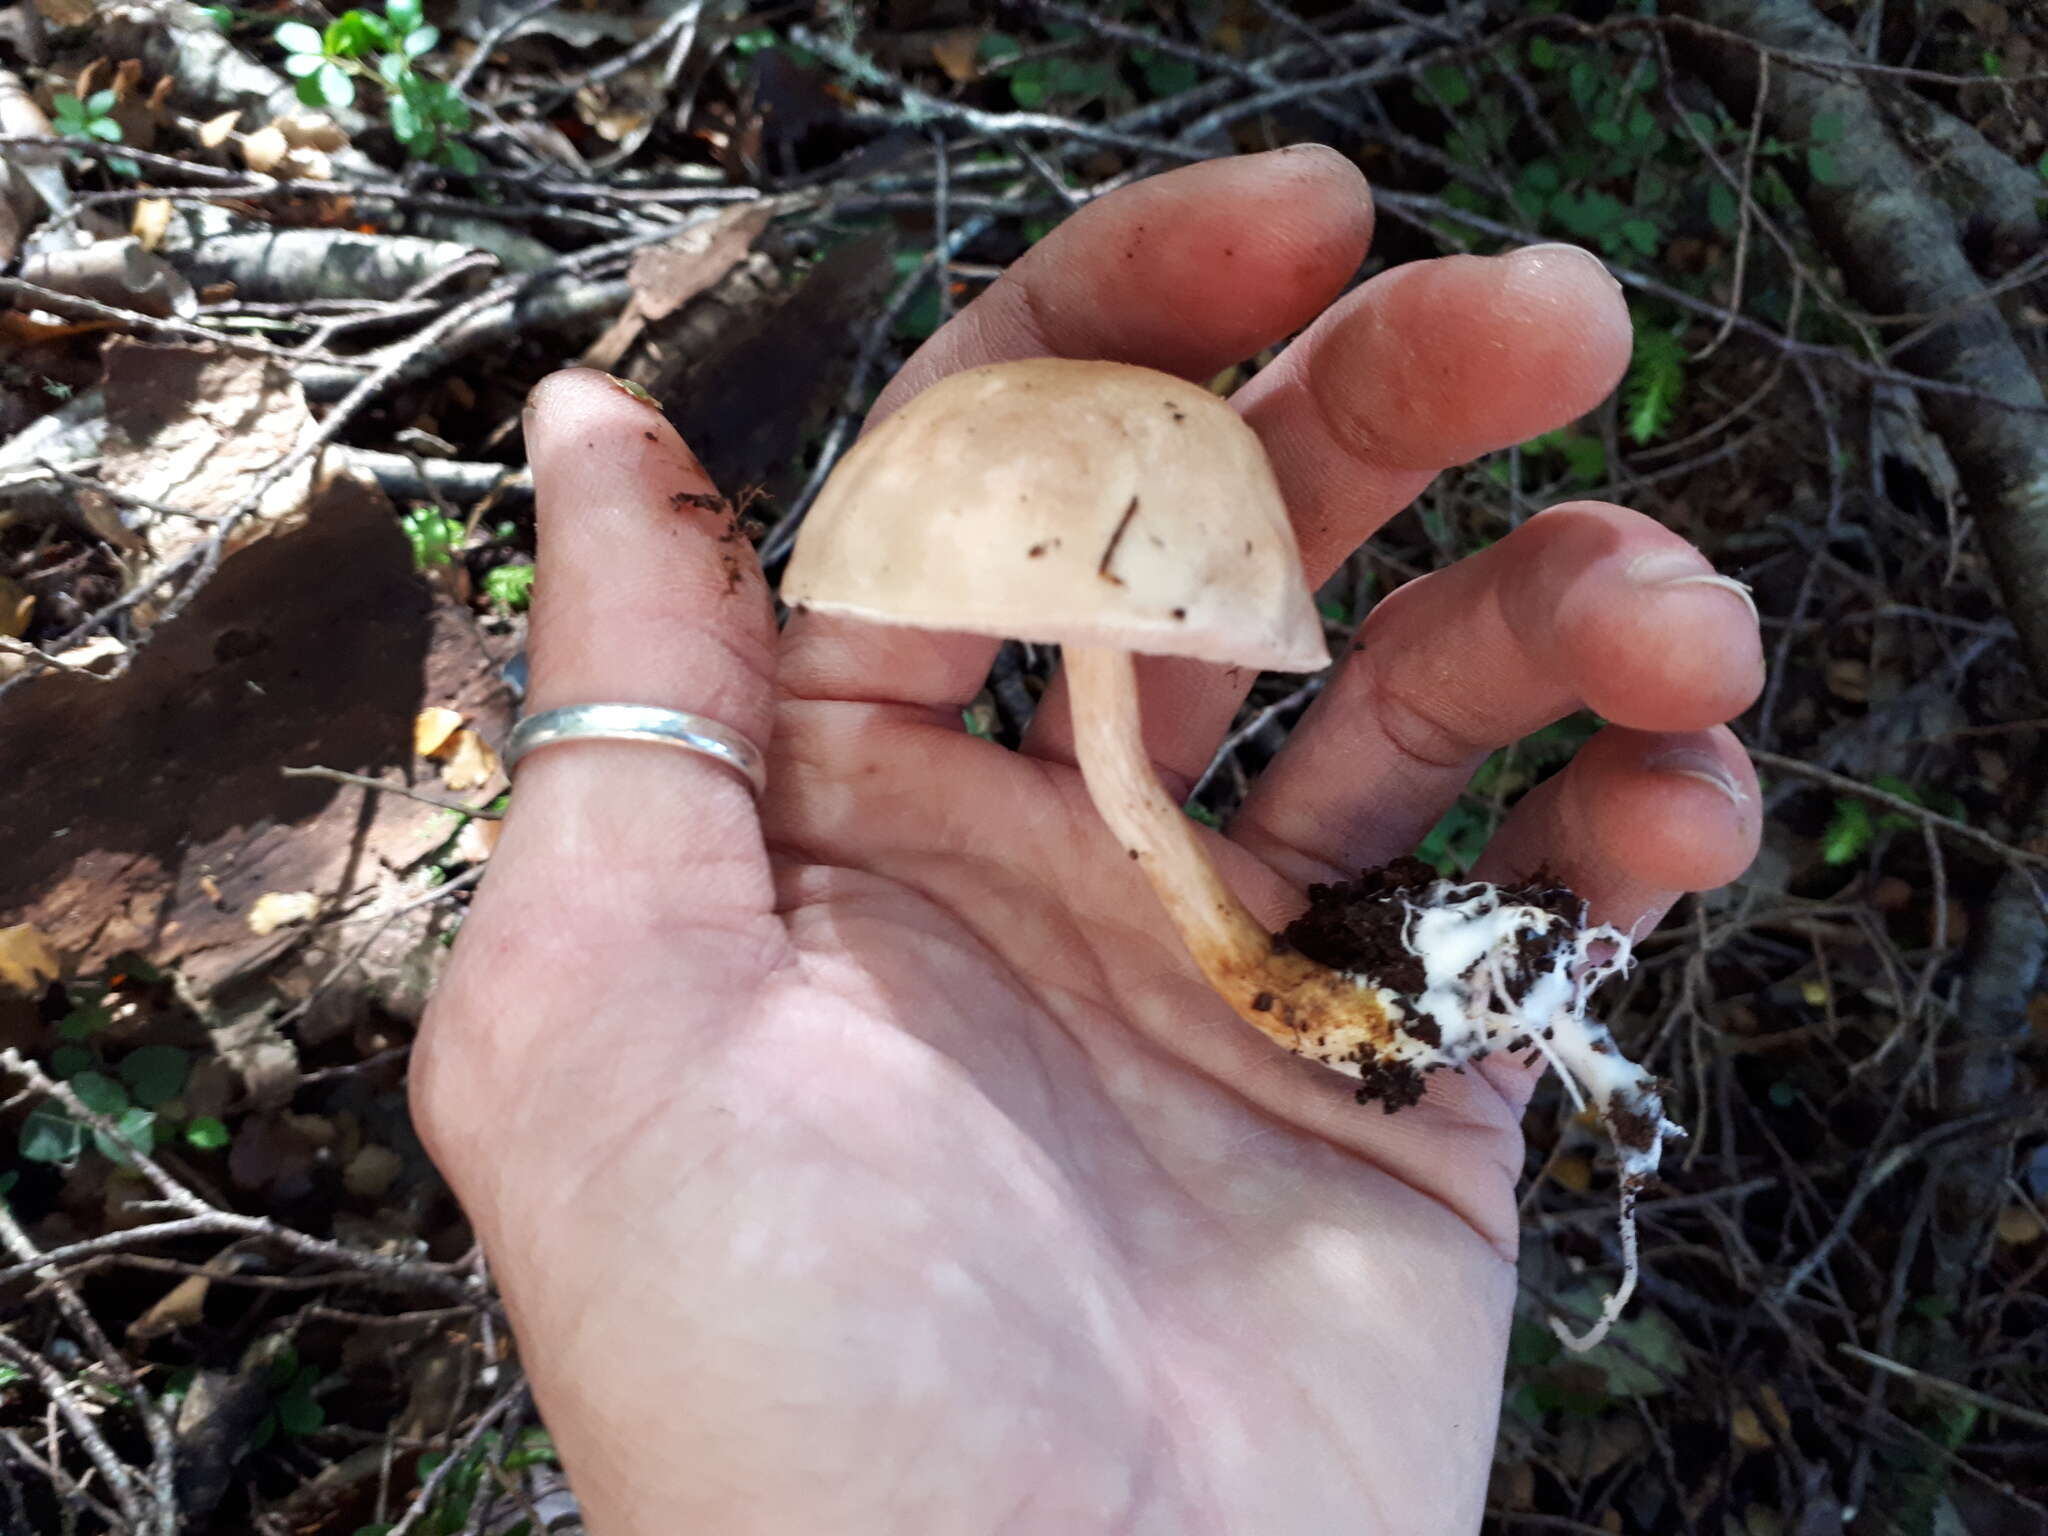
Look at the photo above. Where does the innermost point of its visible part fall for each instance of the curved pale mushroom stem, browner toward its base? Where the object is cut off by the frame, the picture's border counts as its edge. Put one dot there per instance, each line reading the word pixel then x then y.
pixel 1283 996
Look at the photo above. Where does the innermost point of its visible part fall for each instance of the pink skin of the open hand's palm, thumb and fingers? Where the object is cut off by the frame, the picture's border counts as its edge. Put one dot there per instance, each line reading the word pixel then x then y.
pixel 876 1162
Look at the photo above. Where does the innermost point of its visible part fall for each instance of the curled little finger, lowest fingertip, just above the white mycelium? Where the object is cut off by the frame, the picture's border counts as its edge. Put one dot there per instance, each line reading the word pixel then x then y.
pixel 1633 822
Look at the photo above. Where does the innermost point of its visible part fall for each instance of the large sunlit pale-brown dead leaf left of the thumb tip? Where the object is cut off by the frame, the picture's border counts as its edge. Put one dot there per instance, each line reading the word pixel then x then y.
pixel 191 427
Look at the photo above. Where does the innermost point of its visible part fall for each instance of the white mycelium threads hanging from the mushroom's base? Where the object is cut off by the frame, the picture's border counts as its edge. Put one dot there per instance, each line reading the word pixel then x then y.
pixel 1471 945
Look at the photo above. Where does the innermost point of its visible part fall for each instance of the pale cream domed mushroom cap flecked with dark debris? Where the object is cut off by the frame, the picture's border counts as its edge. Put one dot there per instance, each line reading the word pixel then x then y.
pixel 1074 503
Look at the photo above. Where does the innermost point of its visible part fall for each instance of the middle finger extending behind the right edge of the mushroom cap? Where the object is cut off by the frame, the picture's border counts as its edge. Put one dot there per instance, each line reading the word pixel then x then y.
pixel 1424 368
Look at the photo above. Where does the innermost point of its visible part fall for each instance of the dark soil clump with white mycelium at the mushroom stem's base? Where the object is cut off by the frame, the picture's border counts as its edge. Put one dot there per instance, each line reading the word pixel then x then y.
pixel 1465 970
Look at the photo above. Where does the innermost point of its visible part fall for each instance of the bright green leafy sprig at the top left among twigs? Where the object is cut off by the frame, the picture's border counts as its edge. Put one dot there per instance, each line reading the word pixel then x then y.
pixel 364 46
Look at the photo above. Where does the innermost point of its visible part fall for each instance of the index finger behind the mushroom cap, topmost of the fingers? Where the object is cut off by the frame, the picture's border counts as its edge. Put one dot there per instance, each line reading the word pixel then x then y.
pixel 1187 273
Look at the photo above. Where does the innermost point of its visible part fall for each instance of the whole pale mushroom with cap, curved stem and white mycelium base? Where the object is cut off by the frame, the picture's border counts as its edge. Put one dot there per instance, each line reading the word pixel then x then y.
pixel 1115 511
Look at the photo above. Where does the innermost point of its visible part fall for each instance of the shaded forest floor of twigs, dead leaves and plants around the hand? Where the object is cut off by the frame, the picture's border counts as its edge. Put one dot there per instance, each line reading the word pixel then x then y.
pixel 275 306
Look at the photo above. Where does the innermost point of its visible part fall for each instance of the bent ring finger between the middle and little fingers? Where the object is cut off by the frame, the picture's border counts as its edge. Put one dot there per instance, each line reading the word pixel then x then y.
pixel 1584 607
